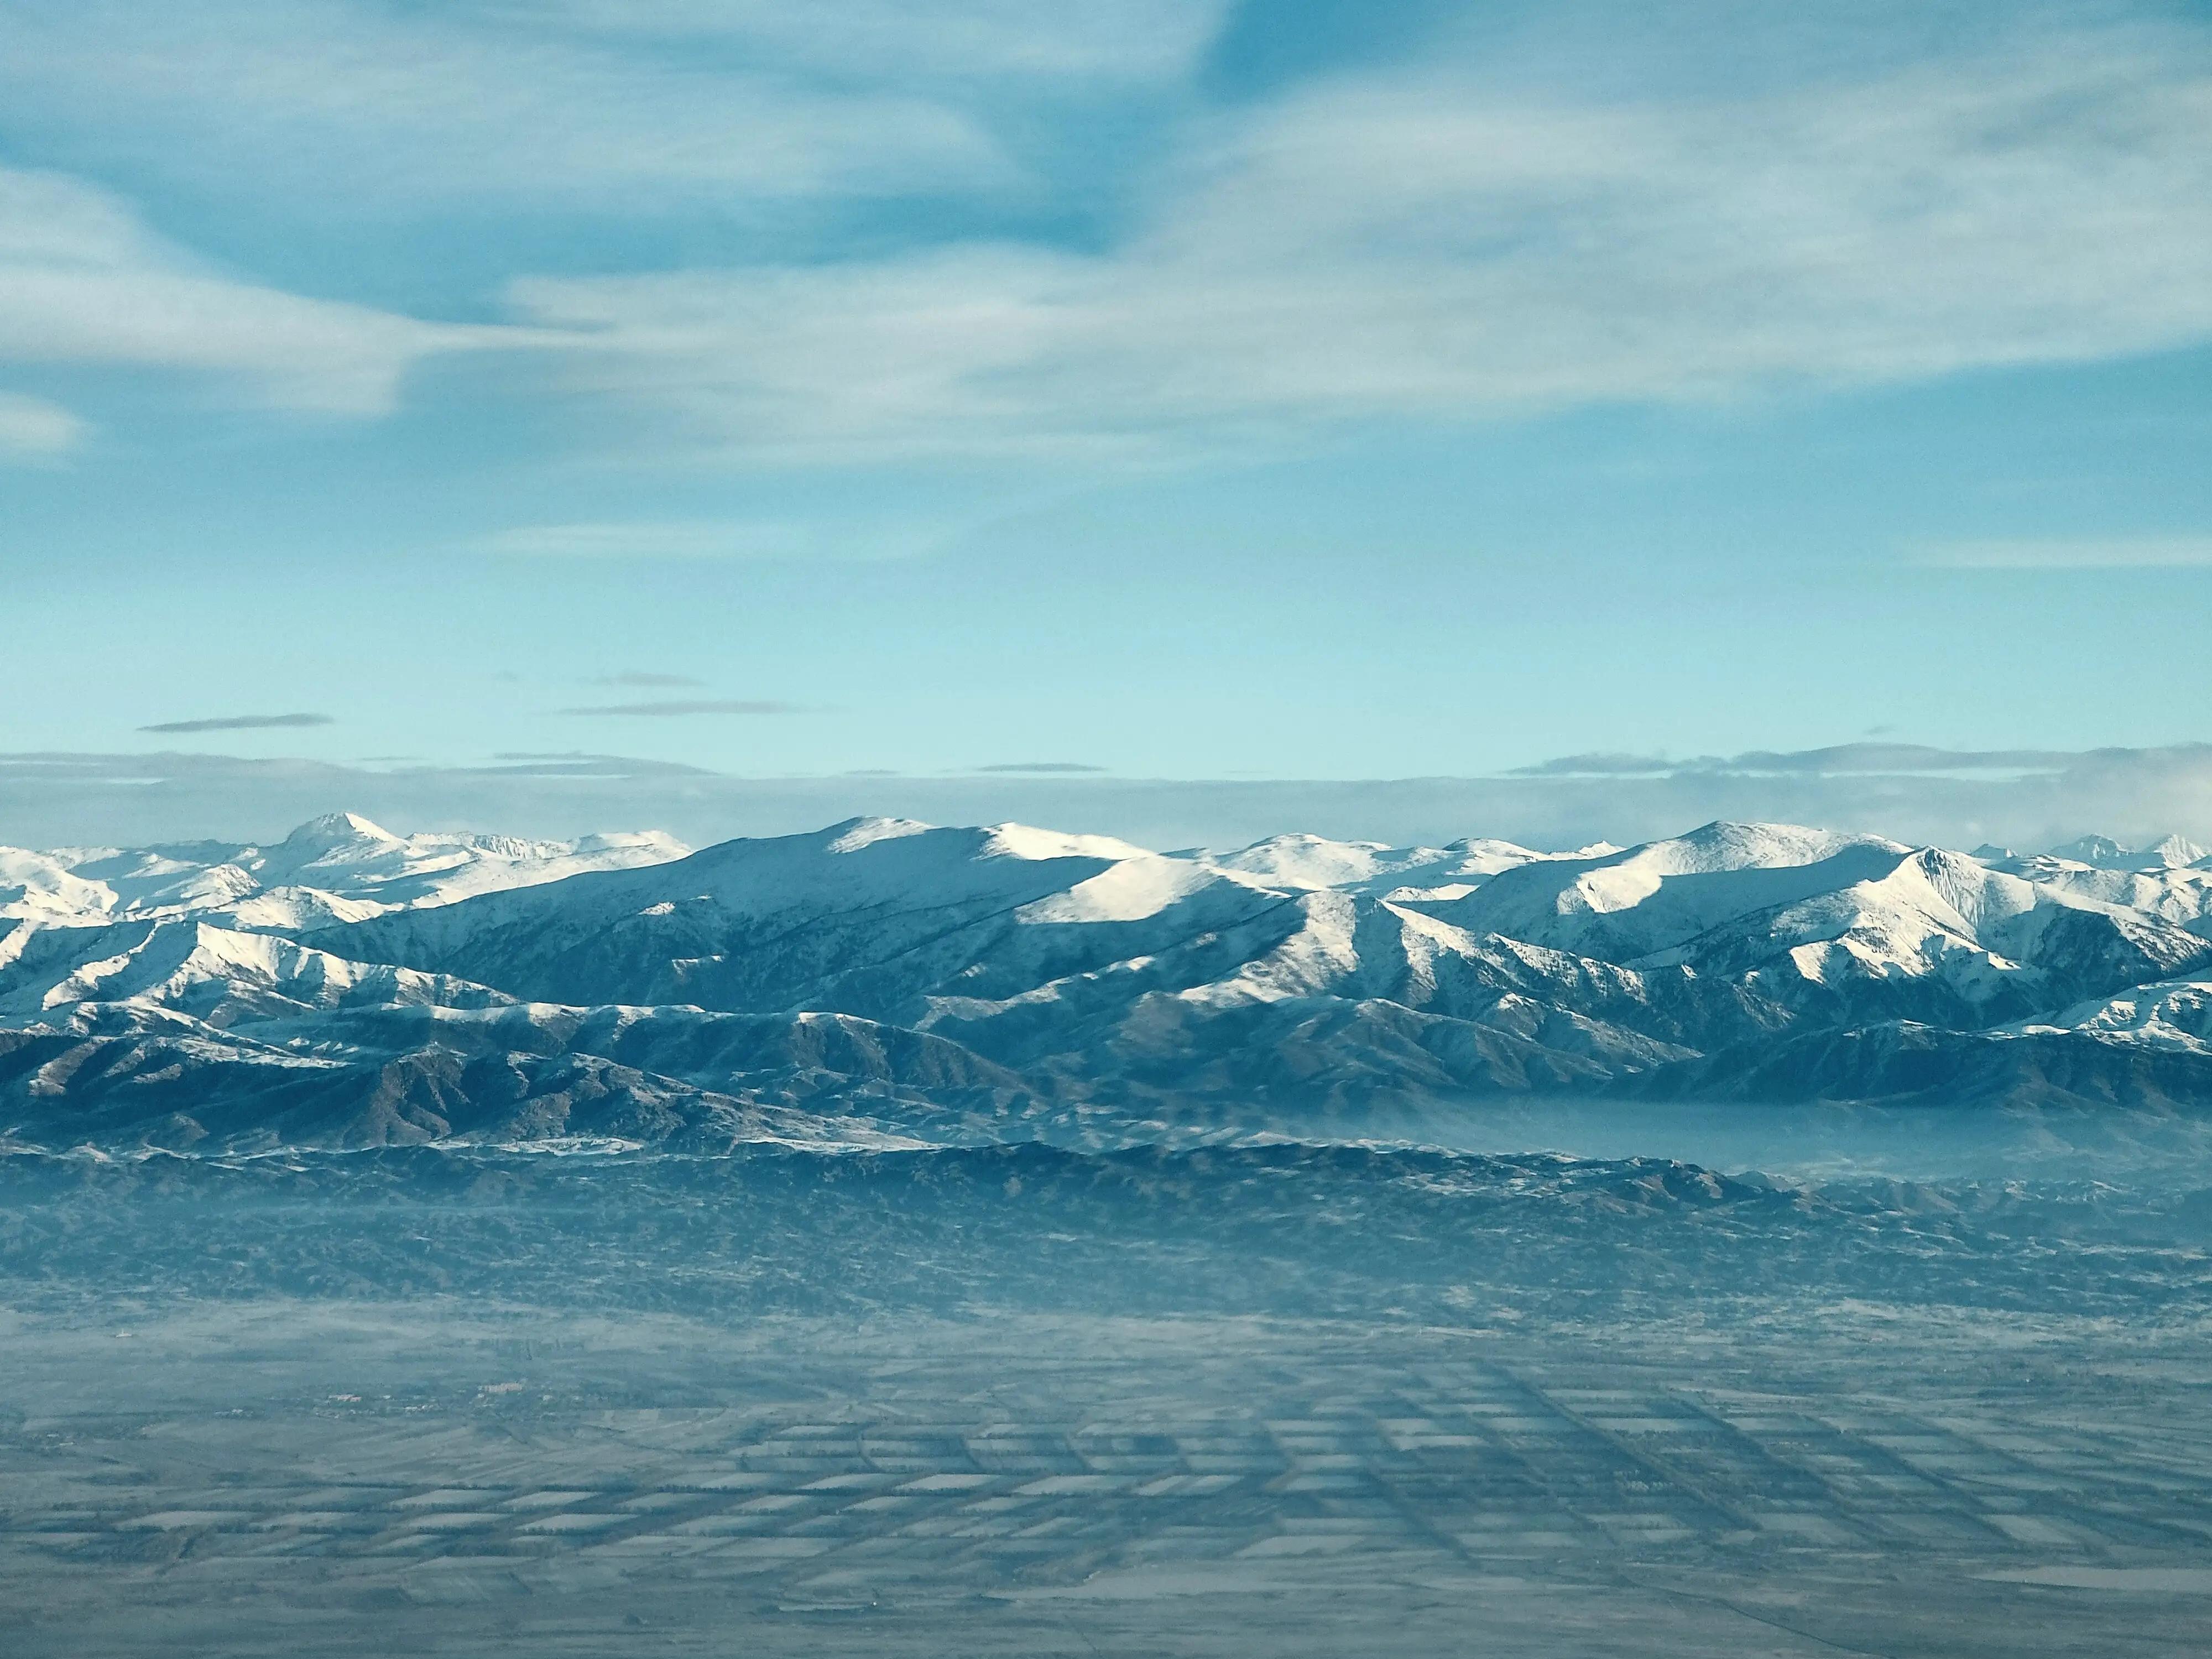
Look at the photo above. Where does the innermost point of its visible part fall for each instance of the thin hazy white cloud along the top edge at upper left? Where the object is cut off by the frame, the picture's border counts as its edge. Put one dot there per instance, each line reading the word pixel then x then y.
pixel 368 109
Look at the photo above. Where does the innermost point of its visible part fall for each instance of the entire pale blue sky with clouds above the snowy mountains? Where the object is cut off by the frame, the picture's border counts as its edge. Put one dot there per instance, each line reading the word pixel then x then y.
pixel 545 417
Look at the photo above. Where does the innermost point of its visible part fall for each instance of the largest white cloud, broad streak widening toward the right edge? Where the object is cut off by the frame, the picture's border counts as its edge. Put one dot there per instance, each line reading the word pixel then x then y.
pixel 1419 247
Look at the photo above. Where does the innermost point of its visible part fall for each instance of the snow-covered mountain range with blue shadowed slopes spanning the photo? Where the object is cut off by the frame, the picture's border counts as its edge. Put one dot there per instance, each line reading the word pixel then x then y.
pixel 886 981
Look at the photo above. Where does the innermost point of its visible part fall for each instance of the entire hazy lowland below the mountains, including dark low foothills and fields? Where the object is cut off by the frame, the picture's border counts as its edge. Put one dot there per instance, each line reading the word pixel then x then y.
pixel 1034 1401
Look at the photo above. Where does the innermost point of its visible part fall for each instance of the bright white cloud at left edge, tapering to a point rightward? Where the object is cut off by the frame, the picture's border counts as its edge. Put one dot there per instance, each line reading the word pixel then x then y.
pixel 85 282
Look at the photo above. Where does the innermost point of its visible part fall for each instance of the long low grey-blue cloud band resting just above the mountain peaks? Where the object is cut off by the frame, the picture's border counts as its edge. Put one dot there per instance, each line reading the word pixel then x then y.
pixel 1939 797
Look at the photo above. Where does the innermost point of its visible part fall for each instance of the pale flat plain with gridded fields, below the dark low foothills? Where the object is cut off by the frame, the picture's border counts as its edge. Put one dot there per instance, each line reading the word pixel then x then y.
pixel 275 1477
